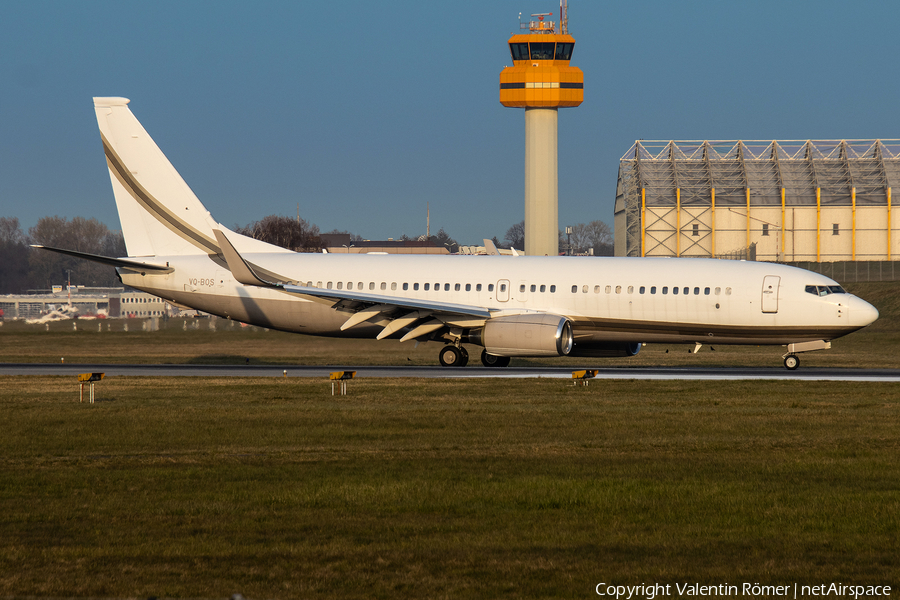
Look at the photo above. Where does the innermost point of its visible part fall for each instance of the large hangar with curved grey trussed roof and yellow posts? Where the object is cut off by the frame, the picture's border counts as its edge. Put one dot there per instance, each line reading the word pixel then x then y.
pixel 809 201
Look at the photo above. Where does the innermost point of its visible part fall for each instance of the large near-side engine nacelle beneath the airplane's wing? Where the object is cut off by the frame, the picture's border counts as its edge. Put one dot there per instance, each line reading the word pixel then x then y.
pixel 531 334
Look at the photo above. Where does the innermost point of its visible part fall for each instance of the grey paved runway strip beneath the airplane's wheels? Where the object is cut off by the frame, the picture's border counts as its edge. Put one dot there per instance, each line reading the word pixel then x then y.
pixel 644 373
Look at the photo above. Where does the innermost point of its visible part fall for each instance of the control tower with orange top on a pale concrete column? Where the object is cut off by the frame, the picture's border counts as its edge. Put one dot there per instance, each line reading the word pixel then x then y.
pixel 541 81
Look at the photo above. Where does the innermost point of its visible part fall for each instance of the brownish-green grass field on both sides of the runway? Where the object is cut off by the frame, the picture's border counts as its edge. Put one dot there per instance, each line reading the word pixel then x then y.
pixel 201 488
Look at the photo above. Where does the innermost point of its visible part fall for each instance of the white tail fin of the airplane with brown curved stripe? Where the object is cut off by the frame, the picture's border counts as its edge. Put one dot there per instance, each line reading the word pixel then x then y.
pixel 159 213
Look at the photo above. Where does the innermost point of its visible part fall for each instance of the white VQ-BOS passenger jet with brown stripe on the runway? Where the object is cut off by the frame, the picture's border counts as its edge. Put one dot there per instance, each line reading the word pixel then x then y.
pixel 510 306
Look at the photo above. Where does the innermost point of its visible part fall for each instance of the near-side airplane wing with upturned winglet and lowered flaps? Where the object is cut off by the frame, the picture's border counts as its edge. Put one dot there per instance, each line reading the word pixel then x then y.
pixel 394 313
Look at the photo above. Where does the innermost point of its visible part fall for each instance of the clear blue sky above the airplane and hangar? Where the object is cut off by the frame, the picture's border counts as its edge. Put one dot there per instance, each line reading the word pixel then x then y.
pixel 362 112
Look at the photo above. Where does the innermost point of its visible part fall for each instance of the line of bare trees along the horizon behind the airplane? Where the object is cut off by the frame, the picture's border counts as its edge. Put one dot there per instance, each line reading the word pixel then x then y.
pixel 23 268
